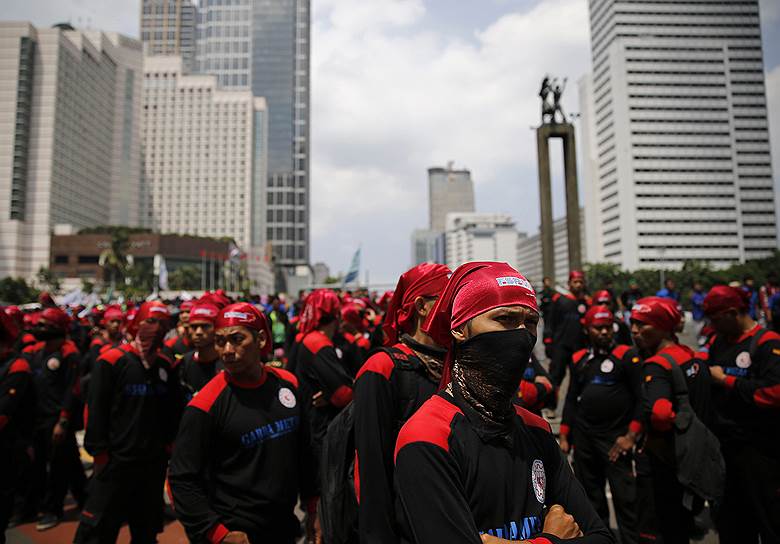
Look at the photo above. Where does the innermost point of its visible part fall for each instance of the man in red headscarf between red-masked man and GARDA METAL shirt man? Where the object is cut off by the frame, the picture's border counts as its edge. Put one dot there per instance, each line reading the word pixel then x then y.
pixel 200 365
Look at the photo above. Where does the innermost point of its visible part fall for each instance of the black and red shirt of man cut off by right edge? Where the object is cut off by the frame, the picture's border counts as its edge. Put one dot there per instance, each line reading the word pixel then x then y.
pixel 747 409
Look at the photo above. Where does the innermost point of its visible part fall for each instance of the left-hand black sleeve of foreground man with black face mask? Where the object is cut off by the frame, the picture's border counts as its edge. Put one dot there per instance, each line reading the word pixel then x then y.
pixel 432 503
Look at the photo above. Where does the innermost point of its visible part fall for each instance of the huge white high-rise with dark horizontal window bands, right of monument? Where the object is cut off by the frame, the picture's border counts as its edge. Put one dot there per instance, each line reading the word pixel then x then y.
pixel 677 156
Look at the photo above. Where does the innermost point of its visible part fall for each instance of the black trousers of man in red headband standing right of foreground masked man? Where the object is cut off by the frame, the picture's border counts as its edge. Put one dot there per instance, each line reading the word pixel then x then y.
pixel 593 469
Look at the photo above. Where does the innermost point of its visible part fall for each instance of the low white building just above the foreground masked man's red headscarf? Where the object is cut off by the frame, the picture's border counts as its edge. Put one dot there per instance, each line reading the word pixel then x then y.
pixel 480 237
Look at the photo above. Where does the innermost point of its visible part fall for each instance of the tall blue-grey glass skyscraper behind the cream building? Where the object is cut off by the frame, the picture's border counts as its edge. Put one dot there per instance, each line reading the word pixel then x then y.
pixel 264 45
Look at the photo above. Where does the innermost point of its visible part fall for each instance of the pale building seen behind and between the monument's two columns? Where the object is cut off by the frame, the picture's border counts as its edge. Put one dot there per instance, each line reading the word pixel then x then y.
pixel 529 253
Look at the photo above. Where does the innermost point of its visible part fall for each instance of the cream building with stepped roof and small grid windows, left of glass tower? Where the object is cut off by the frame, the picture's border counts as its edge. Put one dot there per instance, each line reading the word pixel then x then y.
pixel 204 157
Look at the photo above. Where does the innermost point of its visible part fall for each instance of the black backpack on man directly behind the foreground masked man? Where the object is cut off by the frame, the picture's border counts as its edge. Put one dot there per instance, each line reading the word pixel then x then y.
pixel 338 504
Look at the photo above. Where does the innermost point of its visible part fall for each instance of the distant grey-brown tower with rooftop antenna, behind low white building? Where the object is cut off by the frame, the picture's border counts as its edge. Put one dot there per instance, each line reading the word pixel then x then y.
pixel 449 191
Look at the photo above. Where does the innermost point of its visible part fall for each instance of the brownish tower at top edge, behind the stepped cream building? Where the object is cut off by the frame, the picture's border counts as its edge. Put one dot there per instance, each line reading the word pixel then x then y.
pixel 168 28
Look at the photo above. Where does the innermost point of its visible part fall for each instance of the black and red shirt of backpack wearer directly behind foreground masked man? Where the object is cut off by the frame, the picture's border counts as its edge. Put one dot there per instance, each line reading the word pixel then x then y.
pixel 389 388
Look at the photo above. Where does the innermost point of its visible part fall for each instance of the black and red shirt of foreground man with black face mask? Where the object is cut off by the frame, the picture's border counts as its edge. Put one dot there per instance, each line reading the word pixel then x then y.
pixel 454 482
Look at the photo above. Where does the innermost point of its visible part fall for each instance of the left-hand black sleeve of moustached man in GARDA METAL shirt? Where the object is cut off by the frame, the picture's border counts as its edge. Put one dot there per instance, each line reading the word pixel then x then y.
pixel 187 475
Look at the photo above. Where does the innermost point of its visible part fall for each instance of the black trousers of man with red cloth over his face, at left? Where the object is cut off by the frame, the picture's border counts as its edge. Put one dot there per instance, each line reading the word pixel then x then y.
pixel 124 492
